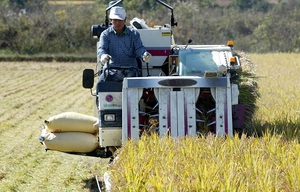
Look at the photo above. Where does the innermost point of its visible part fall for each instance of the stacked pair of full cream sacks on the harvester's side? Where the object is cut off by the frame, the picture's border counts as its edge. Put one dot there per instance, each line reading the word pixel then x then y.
pixel 70 132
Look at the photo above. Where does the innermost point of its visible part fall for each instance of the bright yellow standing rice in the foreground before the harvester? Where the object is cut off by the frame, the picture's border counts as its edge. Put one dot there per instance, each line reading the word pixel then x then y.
pixel 208 164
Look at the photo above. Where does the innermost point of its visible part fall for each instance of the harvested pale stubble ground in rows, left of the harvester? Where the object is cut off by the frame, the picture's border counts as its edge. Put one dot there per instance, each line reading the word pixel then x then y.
pixel 30 93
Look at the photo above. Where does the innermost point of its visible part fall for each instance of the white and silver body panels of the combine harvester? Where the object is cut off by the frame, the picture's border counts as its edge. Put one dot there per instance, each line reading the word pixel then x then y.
pixel 191 68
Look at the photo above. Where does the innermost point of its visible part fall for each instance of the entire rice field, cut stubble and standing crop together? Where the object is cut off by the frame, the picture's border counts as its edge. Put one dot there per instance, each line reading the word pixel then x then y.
pixel 31 92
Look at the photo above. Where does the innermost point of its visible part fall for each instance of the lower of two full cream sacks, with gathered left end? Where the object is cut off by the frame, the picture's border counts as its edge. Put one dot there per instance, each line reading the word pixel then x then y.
pixel 69 141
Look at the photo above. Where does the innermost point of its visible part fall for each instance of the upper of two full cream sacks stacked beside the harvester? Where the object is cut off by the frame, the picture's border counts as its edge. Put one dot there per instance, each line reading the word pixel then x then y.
pixel 72 122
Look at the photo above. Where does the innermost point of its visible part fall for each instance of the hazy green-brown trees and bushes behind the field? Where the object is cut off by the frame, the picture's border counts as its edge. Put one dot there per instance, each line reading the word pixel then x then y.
pixel 33 26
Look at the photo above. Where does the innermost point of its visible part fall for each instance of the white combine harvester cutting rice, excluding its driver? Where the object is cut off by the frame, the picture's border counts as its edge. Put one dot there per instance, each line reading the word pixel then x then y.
pixel 184 90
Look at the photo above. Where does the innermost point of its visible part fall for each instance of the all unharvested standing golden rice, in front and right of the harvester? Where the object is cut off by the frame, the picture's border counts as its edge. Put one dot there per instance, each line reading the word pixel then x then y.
pixel 265 161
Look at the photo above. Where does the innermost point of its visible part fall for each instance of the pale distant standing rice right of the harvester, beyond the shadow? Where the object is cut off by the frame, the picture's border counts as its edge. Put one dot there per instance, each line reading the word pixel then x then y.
pixel 278 79
